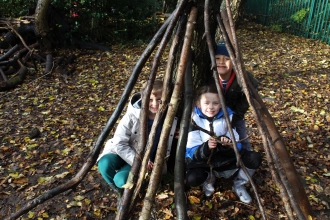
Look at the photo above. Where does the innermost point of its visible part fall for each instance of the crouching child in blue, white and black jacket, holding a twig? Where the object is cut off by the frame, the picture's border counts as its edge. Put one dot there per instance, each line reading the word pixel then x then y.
pixel 203 151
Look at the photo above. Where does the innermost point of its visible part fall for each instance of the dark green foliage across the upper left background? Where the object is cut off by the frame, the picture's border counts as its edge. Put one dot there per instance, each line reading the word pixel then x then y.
pixel 104 21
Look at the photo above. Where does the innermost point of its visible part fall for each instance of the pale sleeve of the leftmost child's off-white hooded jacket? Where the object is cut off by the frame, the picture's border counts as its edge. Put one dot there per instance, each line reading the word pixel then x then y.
pixel 122 137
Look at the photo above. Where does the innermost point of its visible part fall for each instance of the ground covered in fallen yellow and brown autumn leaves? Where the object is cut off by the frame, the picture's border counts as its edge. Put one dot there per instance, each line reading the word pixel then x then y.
pixel 294 77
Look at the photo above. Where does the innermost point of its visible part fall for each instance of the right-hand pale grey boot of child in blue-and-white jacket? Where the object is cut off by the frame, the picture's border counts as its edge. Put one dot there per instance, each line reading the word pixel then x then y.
pixel 239 187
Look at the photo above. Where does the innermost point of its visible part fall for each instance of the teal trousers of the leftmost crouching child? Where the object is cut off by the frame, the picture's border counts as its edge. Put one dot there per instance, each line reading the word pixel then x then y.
pixel 114 169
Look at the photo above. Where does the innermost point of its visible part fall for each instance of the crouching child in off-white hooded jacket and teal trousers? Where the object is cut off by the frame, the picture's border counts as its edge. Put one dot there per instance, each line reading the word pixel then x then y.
pixel 117 157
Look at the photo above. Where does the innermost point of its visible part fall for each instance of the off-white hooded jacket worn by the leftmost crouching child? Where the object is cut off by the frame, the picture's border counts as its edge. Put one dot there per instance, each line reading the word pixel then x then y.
pixel 126 135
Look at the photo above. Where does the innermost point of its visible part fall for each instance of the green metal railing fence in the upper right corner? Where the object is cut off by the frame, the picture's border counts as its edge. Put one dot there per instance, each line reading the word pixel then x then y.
pixel 307 18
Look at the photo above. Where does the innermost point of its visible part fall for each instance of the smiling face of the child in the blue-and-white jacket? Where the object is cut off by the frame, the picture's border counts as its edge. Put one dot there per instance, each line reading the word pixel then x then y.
pixel 209 104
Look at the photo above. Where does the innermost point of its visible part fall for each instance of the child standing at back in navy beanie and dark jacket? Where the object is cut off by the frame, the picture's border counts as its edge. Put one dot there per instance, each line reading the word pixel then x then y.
pixel 233 92
